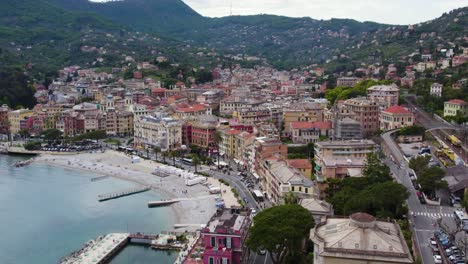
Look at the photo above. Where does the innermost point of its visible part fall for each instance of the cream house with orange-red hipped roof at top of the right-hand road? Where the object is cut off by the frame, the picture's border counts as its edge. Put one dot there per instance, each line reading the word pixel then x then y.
pixel 396 117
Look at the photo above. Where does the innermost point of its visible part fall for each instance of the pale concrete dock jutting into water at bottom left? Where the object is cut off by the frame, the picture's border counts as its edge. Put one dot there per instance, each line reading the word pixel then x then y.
pixel 98 251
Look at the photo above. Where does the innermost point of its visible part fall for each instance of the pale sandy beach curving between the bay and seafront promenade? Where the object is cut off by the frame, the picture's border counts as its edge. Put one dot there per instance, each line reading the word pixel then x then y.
pixel 198 207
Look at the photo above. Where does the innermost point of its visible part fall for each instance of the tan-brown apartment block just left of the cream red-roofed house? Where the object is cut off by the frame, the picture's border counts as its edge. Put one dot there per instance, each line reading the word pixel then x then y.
pixel 365 112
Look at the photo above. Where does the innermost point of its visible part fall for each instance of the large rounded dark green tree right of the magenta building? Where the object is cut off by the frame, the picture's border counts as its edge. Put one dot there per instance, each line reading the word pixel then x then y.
pixel 281 230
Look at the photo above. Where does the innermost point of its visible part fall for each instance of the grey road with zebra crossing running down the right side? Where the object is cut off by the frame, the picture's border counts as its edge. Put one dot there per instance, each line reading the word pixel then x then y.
pixel 423 217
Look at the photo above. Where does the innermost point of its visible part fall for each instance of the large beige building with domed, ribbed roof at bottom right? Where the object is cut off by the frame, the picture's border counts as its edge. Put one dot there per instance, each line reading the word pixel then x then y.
pixel 359 239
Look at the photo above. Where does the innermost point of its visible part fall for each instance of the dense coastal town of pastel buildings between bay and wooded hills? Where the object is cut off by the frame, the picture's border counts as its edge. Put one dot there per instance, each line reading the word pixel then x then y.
pixel 251 139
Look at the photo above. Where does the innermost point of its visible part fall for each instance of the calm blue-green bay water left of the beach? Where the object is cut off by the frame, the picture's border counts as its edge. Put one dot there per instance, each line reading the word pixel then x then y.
pixel 46 212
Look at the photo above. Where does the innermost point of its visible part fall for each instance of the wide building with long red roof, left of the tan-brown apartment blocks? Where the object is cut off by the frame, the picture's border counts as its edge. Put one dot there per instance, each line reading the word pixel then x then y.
pixel 307 132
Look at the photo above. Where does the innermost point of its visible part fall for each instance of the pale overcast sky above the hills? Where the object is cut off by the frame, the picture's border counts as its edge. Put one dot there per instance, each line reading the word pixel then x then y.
pixel 383 11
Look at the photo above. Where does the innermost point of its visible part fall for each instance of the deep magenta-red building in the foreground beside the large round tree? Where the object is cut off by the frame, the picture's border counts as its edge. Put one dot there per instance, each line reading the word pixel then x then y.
pixel 224 236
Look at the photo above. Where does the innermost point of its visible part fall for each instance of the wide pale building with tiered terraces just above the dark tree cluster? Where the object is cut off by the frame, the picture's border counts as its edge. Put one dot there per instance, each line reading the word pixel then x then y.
pixel 340 159
